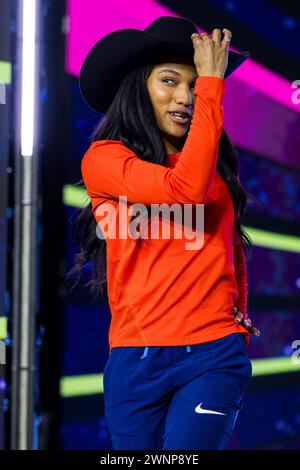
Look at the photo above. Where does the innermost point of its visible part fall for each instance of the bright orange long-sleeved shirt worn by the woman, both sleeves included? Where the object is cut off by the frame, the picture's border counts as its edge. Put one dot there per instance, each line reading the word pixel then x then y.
pixel 161 293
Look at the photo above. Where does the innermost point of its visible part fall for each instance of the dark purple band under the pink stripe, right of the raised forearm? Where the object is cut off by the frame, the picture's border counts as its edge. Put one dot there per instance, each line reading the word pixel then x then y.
pixel 258 124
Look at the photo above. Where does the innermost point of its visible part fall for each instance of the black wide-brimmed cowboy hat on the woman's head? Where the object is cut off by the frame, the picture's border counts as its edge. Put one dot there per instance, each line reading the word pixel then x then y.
pixel 121 51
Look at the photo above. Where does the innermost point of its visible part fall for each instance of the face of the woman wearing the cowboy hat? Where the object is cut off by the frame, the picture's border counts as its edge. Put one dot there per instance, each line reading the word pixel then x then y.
pixel 170 86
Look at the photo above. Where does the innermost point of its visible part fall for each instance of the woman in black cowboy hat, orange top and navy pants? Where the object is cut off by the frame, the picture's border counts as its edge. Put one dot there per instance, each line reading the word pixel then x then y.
pixel 178 364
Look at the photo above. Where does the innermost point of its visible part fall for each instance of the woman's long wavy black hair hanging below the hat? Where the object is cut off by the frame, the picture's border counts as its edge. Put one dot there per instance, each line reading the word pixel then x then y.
pixel 130 118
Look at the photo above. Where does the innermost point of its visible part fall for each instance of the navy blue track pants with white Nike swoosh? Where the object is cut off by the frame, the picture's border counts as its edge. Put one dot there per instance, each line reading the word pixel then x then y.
pixel 176 397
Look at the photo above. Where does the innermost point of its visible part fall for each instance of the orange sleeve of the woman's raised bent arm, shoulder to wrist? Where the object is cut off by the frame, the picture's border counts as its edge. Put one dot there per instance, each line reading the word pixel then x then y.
pixel 110 169
